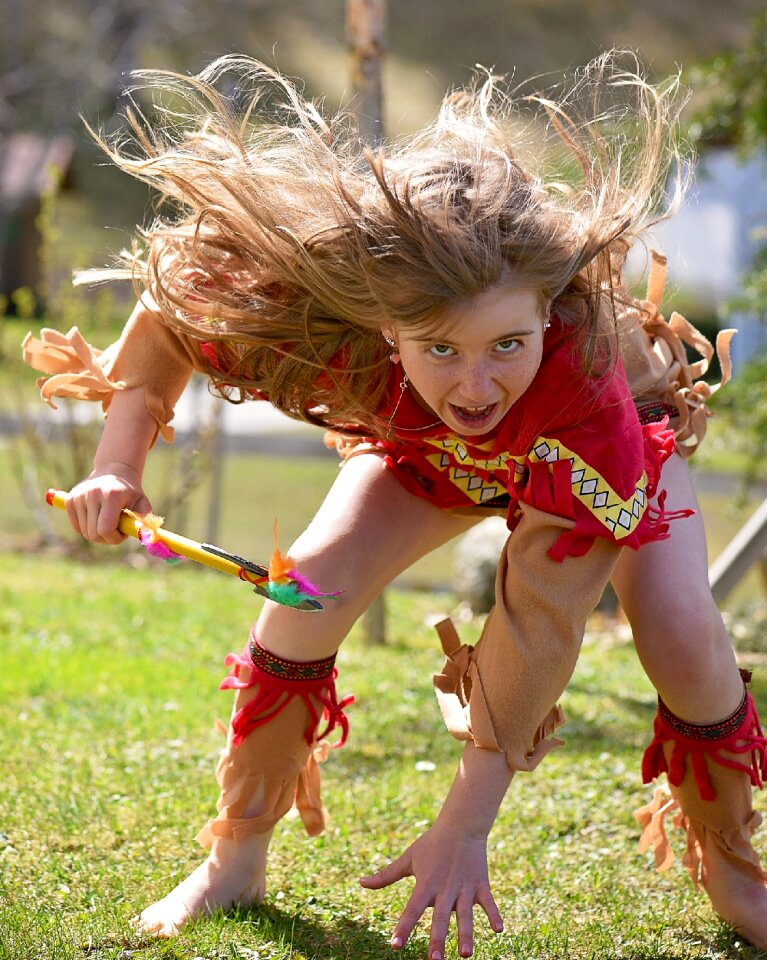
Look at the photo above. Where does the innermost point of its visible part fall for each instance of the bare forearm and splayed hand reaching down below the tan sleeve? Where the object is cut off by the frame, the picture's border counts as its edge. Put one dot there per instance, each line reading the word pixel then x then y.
pixel 449 861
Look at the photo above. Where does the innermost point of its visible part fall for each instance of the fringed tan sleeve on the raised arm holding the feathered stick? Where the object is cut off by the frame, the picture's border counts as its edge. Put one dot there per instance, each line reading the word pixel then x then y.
pixel 148 355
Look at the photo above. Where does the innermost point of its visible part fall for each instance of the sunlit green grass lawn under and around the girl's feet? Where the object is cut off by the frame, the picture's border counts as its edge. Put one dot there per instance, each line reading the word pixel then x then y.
pixel 107 705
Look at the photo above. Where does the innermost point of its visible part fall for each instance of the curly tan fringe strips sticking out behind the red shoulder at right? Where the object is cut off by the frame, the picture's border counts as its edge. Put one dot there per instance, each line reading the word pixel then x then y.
pixel 654 355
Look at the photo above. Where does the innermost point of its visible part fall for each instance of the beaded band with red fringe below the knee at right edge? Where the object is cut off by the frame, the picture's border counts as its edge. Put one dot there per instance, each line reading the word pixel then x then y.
pixel 740 734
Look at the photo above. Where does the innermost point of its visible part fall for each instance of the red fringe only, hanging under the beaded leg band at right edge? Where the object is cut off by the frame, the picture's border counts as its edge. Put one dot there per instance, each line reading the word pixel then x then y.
pixel 748 738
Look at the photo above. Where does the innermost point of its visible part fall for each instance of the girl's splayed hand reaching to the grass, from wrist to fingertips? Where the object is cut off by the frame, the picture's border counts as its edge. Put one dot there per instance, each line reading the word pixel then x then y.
pixel 450 870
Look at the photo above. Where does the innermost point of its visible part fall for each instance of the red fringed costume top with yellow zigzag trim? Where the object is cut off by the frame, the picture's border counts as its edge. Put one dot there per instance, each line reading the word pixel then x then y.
pixel 571 445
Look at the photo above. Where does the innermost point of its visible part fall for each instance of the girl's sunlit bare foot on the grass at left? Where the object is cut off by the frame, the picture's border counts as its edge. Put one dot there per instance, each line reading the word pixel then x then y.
pixel 234 874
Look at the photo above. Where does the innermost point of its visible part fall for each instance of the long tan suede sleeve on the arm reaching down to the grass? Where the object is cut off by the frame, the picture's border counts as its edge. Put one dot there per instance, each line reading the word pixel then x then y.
pixel 503 693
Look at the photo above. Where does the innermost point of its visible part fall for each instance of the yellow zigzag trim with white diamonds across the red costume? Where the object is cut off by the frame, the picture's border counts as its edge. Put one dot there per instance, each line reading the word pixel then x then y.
pixel 620 516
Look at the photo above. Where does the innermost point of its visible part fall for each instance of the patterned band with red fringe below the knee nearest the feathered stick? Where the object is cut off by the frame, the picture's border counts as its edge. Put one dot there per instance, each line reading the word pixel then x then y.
pixel 279 682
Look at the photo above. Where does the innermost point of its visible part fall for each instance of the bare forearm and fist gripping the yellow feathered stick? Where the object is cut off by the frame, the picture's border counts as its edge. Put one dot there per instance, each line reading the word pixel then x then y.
pixel 94 505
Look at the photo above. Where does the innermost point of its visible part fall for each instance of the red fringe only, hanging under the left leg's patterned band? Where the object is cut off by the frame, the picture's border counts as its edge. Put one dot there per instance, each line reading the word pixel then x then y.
pixel 275 693
